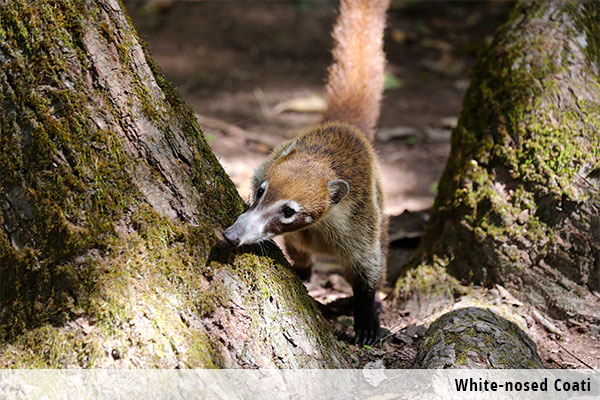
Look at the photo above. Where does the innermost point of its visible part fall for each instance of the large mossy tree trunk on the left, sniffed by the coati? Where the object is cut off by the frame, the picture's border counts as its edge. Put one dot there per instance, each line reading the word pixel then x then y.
pixel 110 199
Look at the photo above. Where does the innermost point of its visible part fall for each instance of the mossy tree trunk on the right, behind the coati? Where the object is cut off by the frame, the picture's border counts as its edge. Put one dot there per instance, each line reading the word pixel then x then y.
pixel 519 200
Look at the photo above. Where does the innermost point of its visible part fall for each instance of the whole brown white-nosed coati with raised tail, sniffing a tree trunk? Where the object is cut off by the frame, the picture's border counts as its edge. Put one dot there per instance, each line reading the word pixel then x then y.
pixel 321 190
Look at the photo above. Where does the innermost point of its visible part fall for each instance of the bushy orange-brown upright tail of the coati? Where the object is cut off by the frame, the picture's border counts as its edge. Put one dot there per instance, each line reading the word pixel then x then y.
pixel 355 84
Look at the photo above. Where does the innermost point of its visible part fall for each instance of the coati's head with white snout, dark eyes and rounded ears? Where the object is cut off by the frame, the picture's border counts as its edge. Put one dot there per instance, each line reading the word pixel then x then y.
pixel 294 194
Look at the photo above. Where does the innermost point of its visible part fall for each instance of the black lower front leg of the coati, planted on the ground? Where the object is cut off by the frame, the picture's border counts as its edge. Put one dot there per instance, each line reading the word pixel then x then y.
pixel 366 322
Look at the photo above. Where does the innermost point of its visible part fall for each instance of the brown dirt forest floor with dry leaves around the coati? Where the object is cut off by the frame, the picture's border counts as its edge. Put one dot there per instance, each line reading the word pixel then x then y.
pixel 254 73
